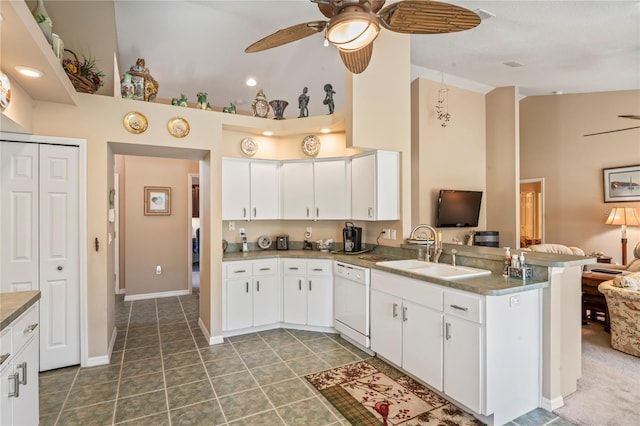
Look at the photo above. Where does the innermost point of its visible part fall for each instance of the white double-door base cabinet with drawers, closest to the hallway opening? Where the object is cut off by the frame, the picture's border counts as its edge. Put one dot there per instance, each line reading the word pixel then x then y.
pixel 251 294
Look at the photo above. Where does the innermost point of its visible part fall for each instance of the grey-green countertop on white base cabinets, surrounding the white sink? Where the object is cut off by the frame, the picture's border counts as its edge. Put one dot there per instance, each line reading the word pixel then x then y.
pixel 490 285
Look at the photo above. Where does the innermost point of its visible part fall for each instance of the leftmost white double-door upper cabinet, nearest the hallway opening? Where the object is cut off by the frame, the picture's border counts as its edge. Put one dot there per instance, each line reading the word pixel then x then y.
pixel 250 189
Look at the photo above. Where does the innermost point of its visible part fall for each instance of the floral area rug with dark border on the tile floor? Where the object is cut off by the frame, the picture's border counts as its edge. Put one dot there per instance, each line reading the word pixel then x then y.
pixel 372 392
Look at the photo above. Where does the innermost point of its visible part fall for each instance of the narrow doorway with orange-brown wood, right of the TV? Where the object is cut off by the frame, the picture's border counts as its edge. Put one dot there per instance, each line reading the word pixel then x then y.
pixel 531 212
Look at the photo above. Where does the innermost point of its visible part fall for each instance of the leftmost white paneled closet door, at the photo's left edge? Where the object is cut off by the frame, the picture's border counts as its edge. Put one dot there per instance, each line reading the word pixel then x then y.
pixel 19 213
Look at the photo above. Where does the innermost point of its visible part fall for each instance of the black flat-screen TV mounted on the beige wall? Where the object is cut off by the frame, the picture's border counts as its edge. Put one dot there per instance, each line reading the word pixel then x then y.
pixel 458 209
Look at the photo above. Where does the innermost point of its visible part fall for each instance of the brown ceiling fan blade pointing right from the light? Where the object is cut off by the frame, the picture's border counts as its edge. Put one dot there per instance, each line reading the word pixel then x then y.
pixel 427 17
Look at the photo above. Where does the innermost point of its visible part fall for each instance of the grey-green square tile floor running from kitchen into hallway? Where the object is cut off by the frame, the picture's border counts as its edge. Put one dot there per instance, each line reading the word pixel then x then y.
pixel 163 372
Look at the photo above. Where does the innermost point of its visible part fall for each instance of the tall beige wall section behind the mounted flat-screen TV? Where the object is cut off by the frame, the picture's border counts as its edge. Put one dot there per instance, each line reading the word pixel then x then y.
pixel 451 157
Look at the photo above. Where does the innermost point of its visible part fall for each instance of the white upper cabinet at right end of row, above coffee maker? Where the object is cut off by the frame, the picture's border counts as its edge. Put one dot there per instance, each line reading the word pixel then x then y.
pixel 375 186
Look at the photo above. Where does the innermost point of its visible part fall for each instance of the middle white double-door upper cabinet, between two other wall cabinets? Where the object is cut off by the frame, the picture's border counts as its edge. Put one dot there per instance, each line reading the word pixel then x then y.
pixel 315 190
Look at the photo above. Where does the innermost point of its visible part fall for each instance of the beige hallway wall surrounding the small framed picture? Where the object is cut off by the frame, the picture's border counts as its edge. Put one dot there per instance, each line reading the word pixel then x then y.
pixel 156 240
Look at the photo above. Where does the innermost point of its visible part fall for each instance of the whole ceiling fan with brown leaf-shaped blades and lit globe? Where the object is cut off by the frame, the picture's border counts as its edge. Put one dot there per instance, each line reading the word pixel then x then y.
pixel 353 25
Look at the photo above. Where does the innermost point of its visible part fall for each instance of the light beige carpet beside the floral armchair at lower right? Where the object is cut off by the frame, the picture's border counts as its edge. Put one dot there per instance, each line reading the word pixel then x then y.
pixel 608 391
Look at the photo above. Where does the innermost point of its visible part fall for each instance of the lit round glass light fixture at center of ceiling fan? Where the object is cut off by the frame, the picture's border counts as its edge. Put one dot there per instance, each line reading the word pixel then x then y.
pixel 353 30
